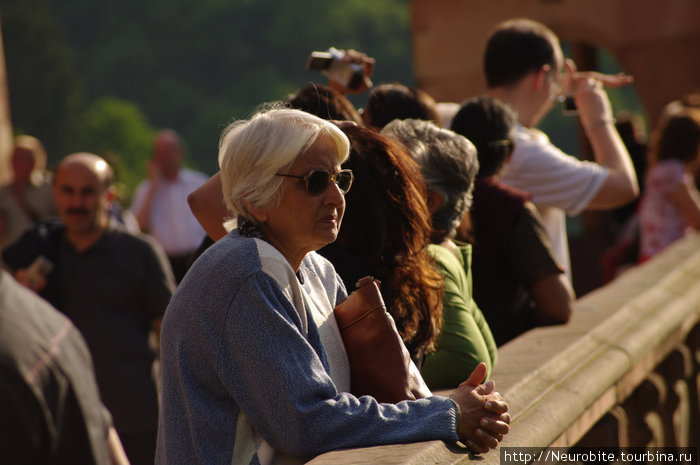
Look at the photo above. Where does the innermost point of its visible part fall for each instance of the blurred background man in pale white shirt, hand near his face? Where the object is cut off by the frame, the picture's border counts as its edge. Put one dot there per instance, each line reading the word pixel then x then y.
pixel 160 202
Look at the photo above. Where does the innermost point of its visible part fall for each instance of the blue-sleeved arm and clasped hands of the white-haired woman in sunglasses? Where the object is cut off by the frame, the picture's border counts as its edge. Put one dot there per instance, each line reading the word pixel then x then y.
pixel 324 419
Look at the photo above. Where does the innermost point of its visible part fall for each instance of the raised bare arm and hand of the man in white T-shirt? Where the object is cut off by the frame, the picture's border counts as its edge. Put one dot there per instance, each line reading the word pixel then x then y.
pixel 620 186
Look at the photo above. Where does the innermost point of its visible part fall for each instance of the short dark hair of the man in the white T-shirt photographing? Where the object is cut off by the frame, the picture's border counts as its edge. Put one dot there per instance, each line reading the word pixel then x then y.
pixel 516 48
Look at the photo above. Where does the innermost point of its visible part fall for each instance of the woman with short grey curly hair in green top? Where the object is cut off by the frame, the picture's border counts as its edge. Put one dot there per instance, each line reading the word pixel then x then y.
pixel 448 164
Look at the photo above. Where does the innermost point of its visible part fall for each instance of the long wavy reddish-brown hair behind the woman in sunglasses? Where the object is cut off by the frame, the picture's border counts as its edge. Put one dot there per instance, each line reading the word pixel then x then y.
pixel 387 224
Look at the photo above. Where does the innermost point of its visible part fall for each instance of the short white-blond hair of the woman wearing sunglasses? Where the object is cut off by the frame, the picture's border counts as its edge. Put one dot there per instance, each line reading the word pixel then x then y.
pixel 252 152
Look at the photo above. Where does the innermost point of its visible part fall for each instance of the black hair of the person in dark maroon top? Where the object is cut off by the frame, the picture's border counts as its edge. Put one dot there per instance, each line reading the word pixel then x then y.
pixel 488 123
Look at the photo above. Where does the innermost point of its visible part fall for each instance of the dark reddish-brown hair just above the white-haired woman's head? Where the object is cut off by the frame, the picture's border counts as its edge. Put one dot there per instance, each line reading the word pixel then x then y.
pixel 324 102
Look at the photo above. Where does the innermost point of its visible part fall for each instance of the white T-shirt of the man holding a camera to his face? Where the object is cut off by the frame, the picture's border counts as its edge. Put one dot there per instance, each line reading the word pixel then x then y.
pixel 558 183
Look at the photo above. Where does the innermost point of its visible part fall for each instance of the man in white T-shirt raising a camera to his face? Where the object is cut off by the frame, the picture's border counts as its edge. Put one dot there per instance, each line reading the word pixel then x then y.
pixel 525 68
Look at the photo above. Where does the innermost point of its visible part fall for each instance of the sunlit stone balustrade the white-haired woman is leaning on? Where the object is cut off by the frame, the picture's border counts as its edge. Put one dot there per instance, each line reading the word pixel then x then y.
pixel 623 372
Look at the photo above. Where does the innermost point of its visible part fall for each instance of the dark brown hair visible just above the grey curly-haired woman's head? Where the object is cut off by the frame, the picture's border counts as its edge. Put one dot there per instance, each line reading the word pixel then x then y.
pixel 391 101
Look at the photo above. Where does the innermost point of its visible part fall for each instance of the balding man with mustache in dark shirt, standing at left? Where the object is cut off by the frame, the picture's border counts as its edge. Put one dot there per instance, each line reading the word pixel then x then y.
pixel 112 284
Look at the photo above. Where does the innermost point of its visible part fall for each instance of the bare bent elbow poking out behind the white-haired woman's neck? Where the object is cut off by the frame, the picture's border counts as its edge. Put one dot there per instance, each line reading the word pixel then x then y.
pixel 207 205
